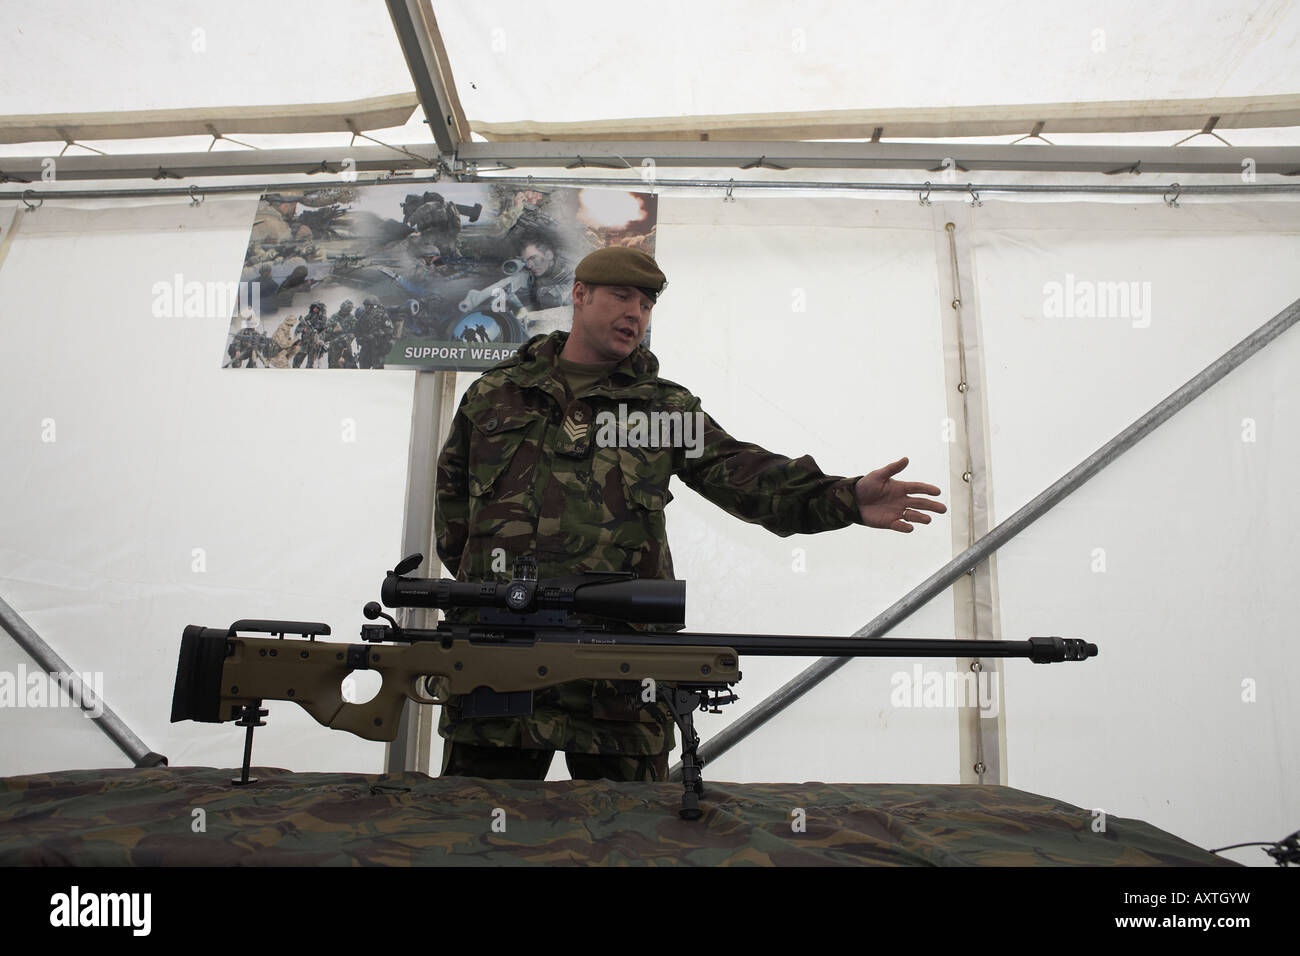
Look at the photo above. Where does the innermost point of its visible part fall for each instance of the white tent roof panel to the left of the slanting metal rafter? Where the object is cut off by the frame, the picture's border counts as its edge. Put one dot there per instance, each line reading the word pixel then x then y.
pixel 81 57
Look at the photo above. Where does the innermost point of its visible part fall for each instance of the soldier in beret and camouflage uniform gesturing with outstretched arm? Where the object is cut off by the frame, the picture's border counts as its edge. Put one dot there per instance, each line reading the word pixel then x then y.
pixel 526 473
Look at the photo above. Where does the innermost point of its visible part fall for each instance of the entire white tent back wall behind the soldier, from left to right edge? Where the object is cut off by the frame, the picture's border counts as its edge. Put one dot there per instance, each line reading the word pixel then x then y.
pixel 161 453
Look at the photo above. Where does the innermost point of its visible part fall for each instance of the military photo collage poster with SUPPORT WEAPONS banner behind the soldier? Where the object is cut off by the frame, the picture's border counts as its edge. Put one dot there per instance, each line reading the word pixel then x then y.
pixel 447 276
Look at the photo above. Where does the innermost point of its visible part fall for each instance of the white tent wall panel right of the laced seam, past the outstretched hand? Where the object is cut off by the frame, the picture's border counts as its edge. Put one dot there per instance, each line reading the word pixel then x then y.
pixel 1178 559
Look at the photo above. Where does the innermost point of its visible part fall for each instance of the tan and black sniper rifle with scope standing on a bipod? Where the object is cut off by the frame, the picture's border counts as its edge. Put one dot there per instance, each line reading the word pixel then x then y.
pixel 528 635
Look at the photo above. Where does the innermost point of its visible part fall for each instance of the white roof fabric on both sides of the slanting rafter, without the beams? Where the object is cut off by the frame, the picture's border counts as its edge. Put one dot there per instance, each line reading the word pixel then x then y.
pixel 517 62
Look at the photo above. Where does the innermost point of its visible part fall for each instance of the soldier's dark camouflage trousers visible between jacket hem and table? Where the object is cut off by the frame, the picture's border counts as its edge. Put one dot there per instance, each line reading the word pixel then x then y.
pixel 518 764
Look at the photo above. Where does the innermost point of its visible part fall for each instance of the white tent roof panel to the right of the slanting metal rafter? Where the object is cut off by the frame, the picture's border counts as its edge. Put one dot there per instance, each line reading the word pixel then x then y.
pixel 517 62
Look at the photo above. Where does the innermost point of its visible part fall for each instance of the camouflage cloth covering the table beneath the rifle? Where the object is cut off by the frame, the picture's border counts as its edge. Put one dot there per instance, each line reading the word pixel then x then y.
pixel 148 819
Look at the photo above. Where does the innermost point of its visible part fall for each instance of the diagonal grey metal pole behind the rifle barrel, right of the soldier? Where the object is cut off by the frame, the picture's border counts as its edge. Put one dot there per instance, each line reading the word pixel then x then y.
pixel 1004 533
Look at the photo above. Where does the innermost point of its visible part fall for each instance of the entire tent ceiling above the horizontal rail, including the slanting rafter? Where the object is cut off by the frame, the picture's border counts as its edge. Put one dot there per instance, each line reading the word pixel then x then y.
pixel 171 76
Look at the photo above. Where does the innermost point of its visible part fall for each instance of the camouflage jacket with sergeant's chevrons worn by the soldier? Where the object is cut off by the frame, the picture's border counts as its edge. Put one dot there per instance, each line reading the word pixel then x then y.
pixel 531 470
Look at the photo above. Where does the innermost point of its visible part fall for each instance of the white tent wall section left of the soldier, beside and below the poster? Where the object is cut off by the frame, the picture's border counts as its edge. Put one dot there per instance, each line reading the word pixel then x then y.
pixel 146 488
